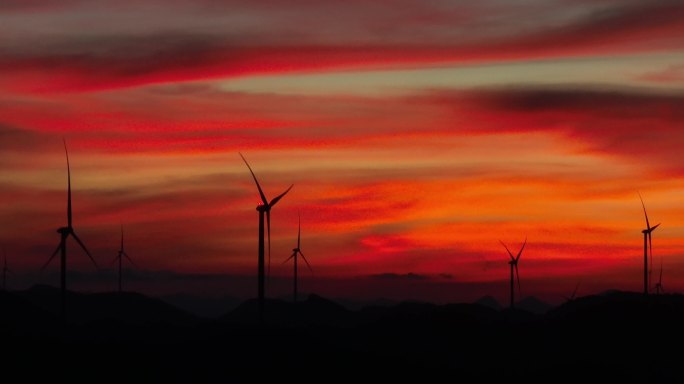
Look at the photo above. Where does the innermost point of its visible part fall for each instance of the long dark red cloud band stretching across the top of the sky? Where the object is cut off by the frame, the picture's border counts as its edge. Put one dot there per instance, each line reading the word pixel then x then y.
pixel 105 61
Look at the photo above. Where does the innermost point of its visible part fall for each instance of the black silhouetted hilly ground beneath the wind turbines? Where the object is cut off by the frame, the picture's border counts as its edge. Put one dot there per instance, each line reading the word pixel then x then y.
pixel 110 337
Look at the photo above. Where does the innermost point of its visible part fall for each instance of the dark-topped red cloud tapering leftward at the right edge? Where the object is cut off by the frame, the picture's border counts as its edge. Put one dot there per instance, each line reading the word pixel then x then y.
pixel 639 126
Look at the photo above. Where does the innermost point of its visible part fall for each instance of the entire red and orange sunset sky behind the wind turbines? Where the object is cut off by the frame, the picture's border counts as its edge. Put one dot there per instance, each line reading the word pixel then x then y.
pixel 417 135
